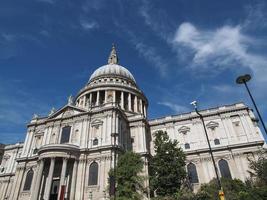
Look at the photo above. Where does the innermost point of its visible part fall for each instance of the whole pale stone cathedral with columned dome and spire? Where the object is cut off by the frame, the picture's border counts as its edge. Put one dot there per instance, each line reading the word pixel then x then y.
pixel 70 151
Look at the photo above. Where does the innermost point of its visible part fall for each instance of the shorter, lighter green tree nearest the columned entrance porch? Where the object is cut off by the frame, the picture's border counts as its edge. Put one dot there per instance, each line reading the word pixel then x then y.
pixel 128 179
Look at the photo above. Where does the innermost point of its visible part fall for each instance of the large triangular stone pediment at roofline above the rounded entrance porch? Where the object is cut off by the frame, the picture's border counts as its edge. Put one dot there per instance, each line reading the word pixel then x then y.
pixel 66 111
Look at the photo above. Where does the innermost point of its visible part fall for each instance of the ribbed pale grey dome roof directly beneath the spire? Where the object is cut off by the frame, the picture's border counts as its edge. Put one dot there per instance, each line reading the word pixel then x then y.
pixel 112 70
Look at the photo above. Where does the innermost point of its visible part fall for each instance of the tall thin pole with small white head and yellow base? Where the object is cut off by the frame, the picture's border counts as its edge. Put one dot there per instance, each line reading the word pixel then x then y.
pixel 221 194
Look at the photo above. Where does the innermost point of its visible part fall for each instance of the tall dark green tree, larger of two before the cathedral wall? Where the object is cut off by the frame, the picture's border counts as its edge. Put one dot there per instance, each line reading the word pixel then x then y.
pixel 167 167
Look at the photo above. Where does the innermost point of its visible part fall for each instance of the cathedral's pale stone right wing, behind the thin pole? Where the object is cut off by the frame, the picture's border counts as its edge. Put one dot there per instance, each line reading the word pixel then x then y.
pixel 233 133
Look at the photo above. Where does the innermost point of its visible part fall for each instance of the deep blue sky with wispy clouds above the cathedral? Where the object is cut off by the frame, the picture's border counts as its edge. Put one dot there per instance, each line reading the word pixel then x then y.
pixel 177 50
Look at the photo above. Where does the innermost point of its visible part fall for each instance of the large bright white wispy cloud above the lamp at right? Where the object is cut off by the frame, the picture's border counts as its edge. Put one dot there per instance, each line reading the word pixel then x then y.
pixel 218 49
